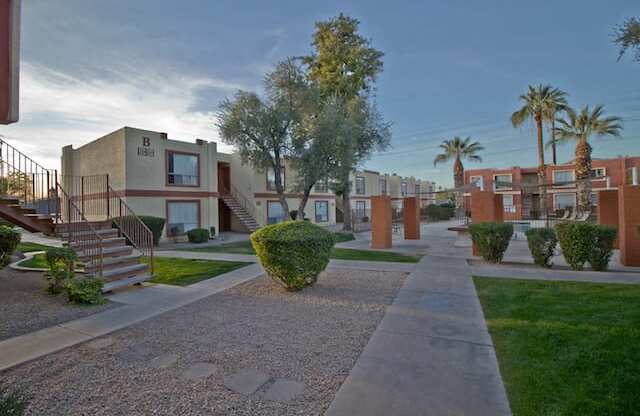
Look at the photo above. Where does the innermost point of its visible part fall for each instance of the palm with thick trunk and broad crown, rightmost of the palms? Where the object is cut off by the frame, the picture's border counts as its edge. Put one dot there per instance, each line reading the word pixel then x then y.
pixel 580 127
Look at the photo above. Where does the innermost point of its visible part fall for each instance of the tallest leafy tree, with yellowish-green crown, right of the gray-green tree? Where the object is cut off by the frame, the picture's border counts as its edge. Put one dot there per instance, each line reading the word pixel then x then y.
pixel 345 66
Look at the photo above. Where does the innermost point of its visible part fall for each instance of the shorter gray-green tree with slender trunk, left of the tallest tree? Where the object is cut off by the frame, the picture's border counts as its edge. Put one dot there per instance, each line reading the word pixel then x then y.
pixel 262 130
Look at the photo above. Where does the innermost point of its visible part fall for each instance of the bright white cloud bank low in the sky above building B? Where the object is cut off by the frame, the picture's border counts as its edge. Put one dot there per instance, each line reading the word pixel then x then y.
pixel 58 108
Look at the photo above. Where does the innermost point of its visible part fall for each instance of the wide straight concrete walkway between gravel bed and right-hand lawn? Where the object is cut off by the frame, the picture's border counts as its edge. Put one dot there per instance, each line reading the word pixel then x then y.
pixel 431 354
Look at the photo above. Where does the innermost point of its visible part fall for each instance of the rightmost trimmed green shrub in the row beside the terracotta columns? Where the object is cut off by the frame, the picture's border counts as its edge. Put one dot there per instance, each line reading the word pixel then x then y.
pixel 585 242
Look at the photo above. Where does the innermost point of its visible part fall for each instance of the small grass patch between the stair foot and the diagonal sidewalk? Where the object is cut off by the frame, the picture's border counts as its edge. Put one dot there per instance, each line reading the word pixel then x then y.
pixel 183 272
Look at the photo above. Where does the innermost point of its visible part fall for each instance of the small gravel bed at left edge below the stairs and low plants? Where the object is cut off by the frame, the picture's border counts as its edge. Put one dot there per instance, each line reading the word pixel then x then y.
pixel 25 307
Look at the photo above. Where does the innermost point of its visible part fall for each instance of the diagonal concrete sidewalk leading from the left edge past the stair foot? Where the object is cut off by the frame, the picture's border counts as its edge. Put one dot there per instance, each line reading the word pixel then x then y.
pixel 140 304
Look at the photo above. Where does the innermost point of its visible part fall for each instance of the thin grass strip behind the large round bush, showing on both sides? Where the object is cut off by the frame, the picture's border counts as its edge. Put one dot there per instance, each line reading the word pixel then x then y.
pixel 244 247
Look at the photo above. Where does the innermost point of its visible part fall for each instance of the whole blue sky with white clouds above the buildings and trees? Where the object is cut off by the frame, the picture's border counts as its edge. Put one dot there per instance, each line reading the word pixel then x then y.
pixel 451 68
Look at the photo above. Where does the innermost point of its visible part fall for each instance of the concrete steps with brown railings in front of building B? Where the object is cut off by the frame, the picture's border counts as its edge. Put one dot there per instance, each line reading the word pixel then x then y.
pixel 121 265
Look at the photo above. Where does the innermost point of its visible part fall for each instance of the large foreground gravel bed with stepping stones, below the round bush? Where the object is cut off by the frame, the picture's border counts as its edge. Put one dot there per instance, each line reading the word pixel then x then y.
pixel 312 337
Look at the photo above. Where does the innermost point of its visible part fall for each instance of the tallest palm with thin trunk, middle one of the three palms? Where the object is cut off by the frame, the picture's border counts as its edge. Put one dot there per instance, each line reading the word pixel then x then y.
pixel 538 102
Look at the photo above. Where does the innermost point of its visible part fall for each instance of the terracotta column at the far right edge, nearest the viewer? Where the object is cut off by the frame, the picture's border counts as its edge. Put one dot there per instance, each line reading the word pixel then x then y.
pixel 629 220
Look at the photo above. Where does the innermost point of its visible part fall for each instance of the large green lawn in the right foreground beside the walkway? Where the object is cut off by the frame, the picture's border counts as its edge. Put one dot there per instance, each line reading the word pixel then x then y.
pixel 565 348
